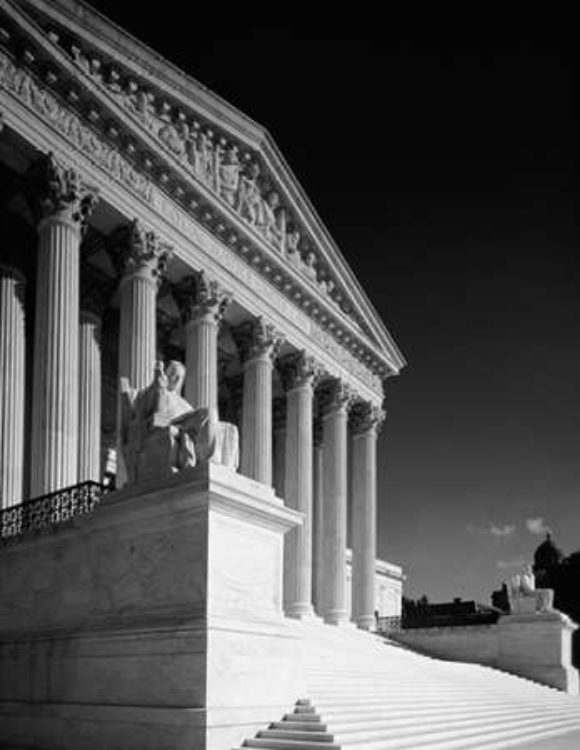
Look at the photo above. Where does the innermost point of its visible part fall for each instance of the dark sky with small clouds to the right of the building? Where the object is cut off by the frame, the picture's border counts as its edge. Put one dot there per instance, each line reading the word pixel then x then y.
pixel 445 174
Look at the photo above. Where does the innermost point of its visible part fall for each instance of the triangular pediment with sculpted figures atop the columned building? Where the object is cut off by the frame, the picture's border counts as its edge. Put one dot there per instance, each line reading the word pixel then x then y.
pixel 209 156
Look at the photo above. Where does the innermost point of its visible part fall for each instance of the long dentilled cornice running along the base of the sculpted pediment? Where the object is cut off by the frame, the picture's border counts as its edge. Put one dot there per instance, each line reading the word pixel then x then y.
pixel 95 107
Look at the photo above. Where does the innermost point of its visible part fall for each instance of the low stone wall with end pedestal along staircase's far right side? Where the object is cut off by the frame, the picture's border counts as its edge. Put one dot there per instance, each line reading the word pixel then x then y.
pixel 535 646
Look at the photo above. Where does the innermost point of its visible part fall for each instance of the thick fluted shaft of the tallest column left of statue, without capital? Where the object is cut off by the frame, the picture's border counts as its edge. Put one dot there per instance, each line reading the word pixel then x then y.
pixel 56 371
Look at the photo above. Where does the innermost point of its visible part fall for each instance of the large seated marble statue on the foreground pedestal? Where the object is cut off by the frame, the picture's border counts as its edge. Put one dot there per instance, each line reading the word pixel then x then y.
pixel 162 434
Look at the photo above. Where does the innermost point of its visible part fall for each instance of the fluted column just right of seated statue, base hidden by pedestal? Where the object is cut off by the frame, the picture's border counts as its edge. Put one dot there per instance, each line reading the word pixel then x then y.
pixel 260 343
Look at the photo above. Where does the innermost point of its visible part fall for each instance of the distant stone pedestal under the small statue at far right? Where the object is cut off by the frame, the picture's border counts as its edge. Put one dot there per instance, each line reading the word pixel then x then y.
pixel 539 647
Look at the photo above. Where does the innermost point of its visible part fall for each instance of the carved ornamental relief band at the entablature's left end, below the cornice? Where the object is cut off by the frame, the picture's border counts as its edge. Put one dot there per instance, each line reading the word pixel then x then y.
pixel 21 84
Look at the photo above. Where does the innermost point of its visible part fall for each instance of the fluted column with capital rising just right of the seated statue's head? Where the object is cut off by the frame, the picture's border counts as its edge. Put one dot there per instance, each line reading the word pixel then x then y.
pixel 202 302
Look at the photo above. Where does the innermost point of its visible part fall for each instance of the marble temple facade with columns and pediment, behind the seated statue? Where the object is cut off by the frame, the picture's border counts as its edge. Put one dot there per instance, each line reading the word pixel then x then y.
pixel 149 220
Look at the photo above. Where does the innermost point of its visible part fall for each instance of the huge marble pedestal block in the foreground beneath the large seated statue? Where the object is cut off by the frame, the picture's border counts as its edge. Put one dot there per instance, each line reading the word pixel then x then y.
pixel 155 622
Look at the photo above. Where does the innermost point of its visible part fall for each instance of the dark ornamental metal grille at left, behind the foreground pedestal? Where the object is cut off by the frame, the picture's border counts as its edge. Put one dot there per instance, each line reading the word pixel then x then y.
pixel 51 510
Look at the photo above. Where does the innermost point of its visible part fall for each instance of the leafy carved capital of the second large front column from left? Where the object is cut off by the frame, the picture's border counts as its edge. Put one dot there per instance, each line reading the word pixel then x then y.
pixel 137 250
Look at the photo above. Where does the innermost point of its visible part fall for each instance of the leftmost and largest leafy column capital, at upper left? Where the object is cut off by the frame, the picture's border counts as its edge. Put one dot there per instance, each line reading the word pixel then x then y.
pixel 59 192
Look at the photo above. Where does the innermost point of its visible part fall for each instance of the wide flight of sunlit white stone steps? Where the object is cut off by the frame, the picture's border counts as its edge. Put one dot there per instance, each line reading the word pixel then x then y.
pixel 369 694
